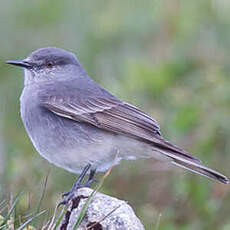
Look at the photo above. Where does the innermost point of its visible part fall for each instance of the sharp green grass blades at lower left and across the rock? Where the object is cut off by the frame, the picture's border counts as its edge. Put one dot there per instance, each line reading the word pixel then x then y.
pixel 11 219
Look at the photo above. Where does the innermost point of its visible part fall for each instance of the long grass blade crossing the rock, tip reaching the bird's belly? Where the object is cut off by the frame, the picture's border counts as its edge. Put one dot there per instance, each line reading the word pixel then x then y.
pixel 86 205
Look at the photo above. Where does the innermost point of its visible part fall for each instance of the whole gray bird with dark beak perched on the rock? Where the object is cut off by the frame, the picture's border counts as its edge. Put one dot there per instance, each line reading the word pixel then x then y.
pixel 77 125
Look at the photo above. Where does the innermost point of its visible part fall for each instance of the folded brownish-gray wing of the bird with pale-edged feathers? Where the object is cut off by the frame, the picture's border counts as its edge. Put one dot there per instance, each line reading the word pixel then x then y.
pixel 113 115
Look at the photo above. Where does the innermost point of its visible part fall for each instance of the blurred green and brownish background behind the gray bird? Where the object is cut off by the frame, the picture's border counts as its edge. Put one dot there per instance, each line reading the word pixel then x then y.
pixel 171 58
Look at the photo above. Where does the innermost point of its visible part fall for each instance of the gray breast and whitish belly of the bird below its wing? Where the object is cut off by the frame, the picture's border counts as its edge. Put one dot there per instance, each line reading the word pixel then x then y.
pixel 69 144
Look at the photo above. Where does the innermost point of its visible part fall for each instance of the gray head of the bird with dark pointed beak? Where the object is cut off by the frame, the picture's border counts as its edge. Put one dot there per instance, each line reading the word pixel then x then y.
pixel 49 63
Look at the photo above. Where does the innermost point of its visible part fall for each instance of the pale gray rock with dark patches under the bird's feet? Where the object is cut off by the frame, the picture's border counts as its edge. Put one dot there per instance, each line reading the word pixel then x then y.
pixel 104 213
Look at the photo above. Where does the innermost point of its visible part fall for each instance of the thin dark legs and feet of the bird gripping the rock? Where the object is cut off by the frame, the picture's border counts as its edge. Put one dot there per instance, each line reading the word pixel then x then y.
pixel 68 195
